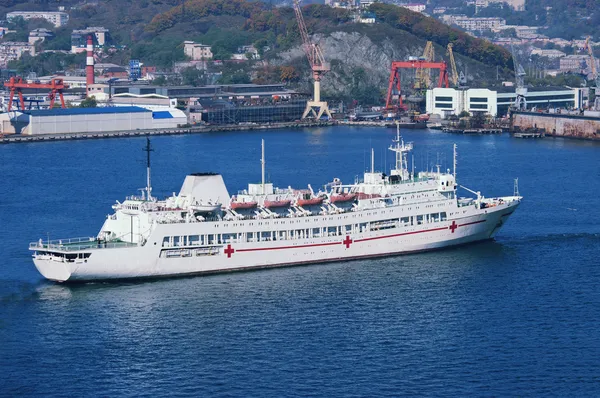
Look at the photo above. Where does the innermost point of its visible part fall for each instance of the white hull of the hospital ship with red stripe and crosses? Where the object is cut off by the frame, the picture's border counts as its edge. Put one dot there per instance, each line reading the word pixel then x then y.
pixel 347 241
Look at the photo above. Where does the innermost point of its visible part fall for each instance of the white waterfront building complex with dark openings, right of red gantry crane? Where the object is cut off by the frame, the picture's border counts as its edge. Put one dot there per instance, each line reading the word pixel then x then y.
pixel 496 102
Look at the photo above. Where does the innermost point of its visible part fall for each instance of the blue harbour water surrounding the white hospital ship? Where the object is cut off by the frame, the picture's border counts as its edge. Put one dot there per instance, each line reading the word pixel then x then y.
pixel 518 316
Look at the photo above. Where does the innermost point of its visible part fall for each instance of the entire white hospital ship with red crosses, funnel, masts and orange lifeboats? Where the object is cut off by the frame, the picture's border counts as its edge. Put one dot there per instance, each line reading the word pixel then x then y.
pixel 203 229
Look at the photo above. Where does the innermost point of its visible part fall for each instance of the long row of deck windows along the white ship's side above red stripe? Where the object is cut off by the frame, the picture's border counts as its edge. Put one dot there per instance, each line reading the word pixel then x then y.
pixel 224 238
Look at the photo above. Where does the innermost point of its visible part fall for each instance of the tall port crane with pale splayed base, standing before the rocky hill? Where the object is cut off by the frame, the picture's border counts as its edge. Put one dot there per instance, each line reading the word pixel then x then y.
pixel 315 107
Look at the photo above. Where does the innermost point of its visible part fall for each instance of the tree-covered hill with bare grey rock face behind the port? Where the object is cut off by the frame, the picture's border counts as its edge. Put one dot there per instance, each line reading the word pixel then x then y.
pixel 360 54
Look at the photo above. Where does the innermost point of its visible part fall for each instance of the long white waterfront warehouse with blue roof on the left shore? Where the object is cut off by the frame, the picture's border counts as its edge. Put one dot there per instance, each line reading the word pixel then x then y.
pixel 79 120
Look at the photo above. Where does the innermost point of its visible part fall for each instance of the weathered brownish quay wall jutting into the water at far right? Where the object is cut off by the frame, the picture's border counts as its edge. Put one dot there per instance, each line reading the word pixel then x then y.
pixel 557 125
